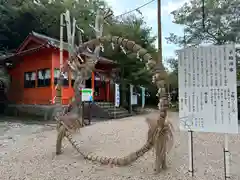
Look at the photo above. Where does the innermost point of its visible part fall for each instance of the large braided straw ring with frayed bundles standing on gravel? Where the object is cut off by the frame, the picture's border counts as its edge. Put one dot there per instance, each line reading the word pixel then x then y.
pixel 82 63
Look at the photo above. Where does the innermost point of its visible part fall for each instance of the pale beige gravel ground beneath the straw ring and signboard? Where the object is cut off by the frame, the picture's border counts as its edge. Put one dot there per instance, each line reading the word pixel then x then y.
pixel 28 152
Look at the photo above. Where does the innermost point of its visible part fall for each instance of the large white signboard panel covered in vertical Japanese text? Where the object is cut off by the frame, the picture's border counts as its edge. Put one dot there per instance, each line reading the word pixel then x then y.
pixel 207 89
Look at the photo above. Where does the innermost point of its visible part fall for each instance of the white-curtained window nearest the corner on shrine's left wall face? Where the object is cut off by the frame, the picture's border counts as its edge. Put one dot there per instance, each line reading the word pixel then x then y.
pixel 44 78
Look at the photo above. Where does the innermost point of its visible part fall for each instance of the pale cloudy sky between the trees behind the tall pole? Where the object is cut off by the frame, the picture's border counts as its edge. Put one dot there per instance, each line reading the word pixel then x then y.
pixel 150 16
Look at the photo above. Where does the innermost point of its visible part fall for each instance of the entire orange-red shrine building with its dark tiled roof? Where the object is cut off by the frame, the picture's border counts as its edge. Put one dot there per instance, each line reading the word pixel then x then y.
pixel 34 70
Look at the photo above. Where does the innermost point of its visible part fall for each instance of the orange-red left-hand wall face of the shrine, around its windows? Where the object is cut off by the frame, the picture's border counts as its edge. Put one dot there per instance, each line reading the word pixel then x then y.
pixel 32 62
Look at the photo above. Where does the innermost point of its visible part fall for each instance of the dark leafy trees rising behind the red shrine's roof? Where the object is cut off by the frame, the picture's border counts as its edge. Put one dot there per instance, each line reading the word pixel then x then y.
pixel 18 18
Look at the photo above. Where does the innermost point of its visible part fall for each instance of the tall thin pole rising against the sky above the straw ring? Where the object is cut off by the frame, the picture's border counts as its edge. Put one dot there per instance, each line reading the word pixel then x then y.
pixel 159 31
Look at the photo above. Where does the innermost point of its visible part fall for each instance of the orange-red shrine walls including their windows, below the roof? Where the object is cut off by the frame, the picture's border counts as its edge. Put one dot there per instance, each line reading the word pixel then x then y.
pixel 30 87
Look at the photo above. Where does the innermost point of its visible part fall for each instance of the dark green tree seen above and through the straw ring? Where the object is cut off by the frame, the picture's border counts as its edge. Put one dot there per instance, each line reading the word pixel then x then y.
pixel 132 28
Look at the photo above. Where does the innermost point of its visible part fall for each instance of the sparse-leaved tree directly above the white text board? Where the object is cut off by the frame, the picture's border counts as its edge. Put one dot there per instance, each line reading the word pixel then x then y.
pixel 221 22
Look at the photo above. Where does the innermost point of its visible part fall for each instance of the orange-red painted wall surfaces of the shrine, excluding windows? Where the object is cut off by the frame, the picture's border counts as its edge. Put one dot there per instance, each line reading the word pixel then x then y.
pixel 46 58
